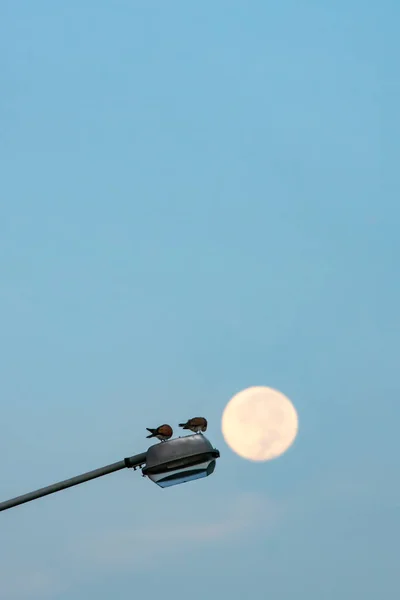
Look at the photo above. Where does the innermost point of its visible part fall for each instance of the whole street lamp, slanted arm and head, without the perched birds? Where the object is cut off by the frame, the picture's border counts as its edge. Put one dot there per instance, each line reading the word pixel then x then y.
pixel 168 463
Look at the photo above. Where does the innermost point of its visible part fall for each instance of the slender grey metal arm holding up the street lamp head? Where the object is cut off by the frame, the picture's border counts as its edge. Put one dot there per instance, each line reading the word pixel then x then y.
pixel 132 462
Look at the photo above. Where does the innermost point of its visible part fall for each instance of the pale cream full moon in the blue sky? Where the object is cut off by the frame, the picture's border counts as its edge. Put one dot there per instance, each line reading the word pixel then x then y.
pixel 259 423
